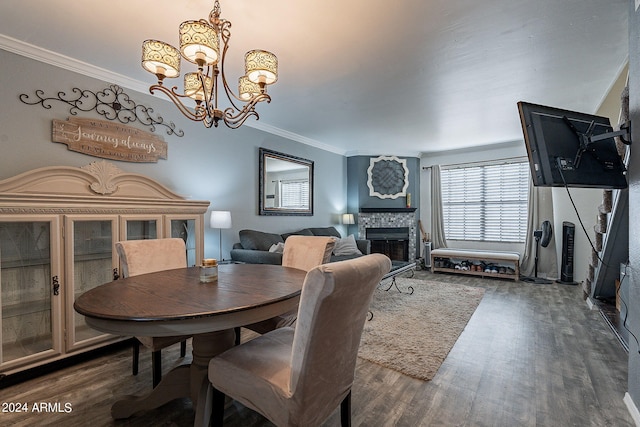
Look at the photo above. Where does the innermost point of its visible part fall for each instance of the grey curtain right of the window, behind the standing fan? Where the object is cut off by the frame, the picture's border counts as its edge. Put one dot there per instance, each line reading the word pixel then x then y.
pixel 540 209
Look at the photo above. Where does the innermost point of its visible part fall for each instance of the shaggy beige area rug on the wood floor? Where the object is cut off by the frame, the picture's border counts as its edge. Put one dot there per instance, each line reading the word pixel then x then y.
pixel 414 333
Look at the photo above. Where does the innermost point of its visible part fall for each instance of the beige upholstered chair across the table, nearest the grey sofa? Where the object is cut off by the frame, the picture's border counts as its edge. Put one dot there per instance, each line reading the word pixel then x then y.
pixel 303 253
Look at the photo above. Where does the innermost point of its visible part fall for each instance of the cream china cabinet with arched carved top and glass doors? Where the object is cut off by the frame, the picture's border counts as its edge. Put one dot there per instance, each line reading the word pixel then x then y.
pixel 58 228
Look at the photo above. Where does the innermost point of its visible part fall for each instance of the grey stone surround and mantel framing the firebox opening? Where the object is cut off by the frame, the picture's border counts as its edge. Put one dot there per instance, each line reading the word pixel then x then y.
pixel 390 217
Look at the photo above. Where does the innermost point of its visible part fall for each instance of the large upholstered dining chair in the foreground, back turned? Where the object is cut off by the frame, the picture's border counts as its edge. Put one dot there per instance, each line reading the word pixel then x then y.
pixel 298 376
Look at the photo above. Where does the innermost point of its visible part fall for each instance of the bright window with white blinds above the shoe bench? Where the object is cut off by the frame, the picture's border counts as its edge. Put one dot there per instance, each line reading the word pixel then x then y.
pixel 486 202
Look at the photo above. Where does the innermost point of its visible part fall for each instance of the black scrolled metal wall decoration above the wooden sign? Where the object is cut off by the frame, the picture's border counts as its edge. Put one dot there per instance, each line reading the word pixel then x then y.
pixel 112 103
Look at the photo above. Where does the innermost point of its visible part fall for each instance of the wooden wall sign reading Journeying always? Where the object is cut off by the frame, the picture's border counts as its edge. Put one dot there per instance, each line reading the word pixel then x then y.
pixel 109 140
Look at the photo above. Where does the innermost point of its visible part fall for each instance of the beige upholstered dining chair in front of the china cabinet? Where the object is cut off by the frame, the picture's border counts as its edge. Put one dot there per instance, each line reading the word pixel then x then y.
pixel 148 256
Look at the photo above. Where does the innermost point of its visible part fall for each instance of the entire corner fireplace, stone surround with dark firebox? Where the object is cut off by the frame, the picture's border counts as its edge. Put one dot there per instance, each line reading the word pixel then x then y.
pixel 399 231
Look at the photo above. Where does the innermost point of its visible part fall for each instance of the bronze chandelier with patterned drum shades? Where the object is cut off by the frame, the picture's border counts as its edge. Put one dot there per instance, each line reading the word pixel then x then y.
pixel 200 44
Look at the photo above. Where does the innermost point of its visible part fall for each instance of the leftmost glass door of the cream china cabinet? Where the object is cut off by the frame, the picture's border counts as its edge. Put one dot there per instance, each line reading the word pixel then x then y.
pixel 29 290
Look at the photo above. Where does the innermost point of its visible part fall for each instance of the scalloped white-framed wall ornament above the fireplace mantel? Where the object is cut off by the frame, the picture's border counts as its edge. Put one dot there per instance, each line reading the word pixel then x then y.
pixel 387 177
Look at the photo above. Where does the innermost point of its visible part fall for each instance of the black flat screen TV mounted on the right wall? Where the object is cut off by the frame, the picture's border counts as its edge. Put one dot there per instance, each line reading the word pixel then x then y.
pixel 572 149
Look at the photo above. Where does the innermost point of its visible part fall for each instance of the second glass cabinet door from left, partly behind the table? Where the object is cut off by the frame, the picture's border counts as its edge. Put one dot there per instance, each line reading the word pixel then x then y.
pixel 90 263
